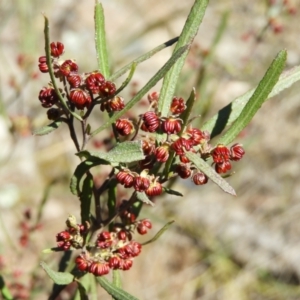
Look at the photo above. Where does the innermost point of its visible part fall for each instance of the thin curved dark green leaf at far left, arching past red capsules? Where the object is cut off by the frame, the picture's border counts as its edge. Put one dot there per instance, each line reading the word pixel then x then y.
pixel 51 72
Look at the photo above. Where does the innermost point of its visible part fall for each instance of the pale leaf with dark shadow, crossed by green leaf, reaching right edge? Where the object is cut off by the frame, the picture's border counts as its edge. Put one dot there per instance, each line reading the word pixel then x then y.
pixel 227 115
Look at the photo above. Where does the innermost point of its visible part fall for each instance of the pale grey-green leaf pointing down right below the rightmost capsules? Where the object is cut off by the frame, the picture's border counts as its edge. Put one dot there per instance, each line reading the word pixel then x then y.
pixel 210 172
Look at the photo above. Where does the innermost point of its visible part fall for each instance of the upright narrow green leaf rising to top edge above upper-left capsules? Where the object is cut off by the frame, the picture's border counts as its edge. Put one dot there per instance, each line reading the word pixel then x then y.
pixel 100 40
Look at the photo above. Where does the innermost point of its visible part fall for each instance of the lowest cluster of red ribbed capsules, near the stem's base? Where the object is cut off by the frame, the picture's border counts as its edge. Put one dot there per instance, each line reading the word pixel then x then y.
pixel 111 250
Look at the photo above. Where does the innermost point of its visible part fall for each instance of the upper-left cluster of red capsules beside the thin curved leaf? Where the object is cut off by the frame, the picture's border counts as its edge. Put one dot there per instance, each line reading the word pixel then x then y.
pixel 80 90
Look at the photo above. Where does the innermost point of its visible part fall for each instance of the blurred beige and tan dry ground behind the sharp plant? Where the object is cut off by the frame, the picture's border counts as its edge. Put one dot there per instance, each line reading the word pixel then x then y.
pixel 220 246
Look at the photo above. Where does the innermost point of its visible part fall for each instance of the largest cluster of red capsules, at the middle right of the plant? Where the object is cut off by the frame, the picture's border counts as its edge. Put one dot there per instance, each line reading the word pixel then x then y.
pixel 177 142
